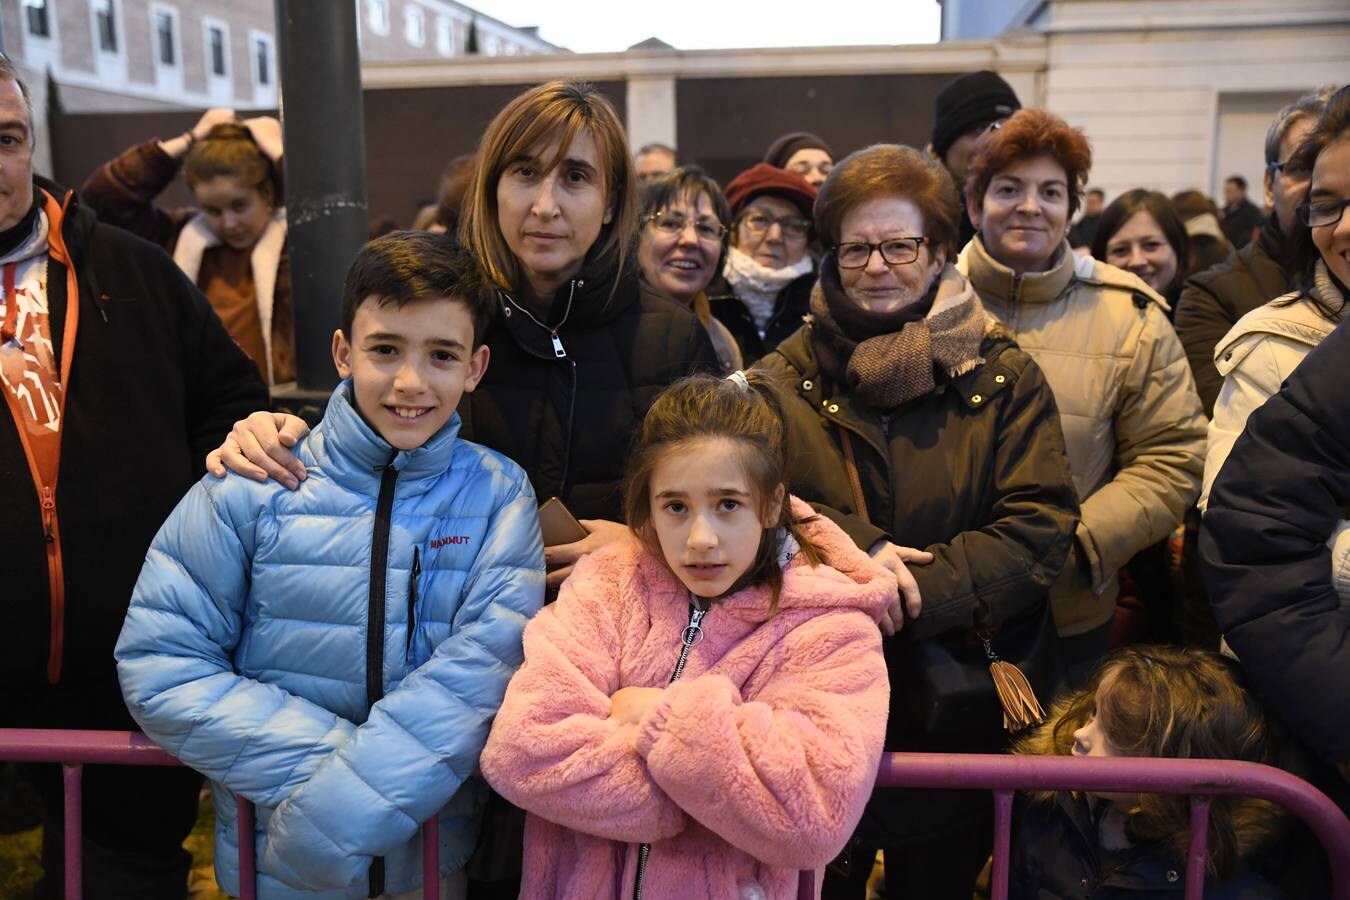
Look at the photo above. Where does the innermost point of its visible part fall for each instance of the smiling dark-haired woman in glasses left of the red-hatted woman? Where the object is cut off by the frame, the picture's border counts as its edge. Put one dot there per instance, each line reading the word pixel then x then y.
pixel 682 245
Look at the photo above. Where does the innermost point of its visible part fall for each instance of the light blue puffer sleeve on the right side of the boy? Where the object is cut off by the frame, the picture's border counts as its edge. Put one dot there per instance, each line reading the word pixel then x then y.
pixel 425 739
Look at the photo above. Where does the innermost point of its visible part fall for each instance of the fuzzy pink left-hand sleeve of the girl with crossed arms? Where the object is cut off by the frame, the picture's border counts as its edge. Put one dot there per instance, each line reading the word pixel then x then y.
pixel 554 751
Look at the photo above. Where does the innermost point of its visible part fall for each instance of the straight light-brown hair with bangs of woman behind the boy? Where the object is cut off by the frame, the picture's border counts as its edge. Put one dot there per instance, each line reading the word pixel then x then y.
pixel 556 111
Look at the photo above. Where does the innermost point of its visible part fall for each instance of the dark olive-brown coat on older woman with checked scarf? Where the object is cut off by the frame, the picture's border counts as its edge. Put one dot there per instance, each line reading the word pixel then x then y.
pixel 977 474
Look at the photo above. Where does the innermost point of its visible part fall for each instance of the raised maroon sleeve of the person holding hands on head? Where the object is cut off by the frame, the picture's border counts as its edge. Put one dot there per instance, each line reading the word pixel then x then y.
pixel 124 192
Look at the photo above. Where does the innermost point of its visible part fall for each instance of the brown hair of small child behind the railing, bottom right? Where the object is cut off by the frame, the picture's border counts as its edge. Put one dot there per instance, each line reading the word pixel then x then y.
pixel 1175 704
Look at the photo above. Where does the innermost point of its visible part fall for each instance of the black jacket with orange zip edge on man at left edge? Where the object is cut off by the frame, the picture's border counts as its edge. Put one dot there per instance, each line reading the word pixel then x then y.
pixel 156 385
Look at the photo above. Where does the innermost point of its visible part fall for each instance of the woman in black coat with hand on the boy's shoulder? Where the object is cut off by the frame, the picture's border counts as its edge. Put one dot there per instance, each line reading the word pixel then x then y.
pixel 580 347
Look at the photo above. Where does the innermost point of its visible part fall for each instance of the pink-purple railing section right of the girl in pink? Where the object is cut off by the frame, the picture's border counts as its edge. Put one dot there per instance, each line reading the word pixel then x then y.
pixel 1201 779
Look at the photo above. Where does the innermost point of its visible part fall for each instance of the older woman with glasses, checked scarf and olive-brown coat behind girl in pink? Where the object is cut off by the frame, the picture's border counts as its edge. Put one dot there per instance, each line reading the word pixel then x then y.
pixel 920 427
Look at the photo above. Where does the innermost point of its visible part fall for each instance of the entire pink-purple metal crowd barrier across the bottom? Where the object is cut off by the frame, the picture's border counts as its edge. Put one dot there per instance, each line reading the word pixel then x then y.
pixel 1004 775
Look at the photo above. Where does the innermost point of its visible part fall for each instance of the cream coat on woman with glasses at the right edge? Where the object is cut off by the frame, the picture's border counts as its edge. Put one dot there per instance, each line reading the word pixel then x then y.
pixel 1255 358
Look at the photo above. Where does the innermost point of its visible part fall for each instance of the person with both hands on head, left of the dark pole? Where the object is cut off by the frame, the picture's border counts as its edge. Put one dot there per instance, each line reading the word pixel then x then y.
pixel 234 248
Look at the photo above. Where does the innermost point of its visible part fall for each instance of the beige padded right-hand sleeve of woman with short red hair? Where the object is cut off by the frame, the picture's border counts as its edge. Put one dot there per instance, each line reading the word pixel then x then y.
pixel 1160 435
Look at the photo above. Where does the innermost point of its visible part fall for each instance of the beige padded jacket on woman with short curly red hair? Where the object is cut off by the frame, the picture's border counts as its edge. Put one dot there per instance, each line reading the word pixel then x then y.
pixel 1131 414
